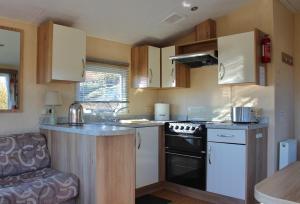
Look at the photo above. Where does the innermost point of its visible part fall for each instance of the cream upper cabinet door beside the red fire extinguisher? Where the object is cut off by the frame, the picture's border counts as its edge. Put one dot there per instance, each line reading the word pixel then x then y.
pixel 237 58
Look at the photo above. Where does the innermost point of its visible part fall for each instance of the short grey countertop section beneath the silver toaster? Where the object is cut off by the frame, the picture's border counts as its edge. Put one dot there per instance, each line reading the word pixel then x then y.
pixel 234 126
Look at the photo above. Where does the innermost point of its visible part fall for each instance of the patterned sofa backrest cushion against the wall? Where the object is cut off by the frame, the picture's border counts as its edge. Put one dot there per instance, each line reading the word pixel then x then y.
pixel 23 153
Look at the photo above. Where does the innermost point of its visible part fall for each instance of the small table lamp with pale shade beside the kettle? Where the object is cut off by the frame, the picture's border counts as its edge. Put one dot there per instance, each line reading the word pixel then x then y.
pixel 53 99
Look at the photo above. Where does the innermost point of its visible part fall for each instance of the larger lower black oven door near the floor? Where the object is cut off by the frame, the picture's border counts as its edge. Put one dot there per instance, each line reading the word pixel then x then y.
pixel 186 170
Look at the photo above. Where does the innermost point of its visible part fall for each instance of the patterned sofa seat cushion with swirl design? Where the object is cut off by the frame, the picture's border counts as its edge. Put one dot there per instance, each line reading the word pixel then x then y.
pixel 45 186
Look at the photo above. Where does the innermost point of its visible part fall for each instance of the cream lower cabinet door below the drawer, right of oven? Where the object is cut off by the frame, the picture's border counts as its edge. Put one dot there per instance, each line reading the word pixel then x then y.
pixel 226 169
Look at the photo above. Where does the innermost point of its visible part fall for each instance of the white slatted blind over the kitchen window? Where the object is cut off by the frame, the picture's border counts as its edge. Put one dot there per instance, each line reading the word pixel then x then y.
pixel 103 83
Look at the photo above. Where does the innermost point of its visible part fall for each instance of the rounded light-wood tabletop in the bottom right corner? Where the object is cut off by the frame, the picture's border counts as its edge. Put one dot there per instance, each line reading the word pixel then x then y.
pixel 281 188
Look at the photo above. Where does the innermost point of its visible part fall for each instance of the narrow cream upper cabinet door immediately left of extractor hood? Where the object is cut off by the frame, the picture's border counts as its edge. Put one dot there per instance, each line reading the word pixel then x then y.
pixel 168 69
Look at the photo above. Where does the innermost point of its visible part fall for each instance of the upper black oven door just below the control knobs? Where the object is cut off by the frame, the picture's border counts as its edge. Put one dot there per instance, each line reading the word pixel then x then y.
pixel 188 144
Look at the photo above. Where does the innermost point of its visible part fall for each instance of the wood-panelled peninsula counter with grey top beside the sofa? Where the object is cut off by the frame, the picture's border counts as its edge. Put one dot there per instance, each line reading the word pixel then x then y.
pixel 102 157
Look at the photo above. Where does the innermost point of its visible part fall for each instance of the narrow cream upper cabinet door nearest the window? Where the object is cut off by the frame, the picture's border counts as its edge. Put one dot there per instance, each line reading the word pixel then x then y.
pixel 153 67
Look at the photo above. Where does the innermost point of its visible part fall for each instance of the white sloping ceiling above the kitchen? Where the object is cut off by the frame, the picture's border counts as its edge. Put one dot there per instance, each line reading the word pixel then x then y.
pixel 128 21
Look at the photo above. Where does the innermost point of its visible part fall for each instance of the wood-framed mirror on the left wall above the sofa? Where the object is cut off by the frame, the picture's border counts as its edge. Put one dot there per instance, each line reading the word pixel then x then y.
pixel 11 62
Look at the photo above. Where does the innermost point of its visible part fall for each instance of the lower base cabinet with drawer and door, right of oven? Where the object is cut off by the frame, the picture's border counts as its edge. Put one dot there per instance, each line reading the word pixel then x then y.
pixel 236 161
